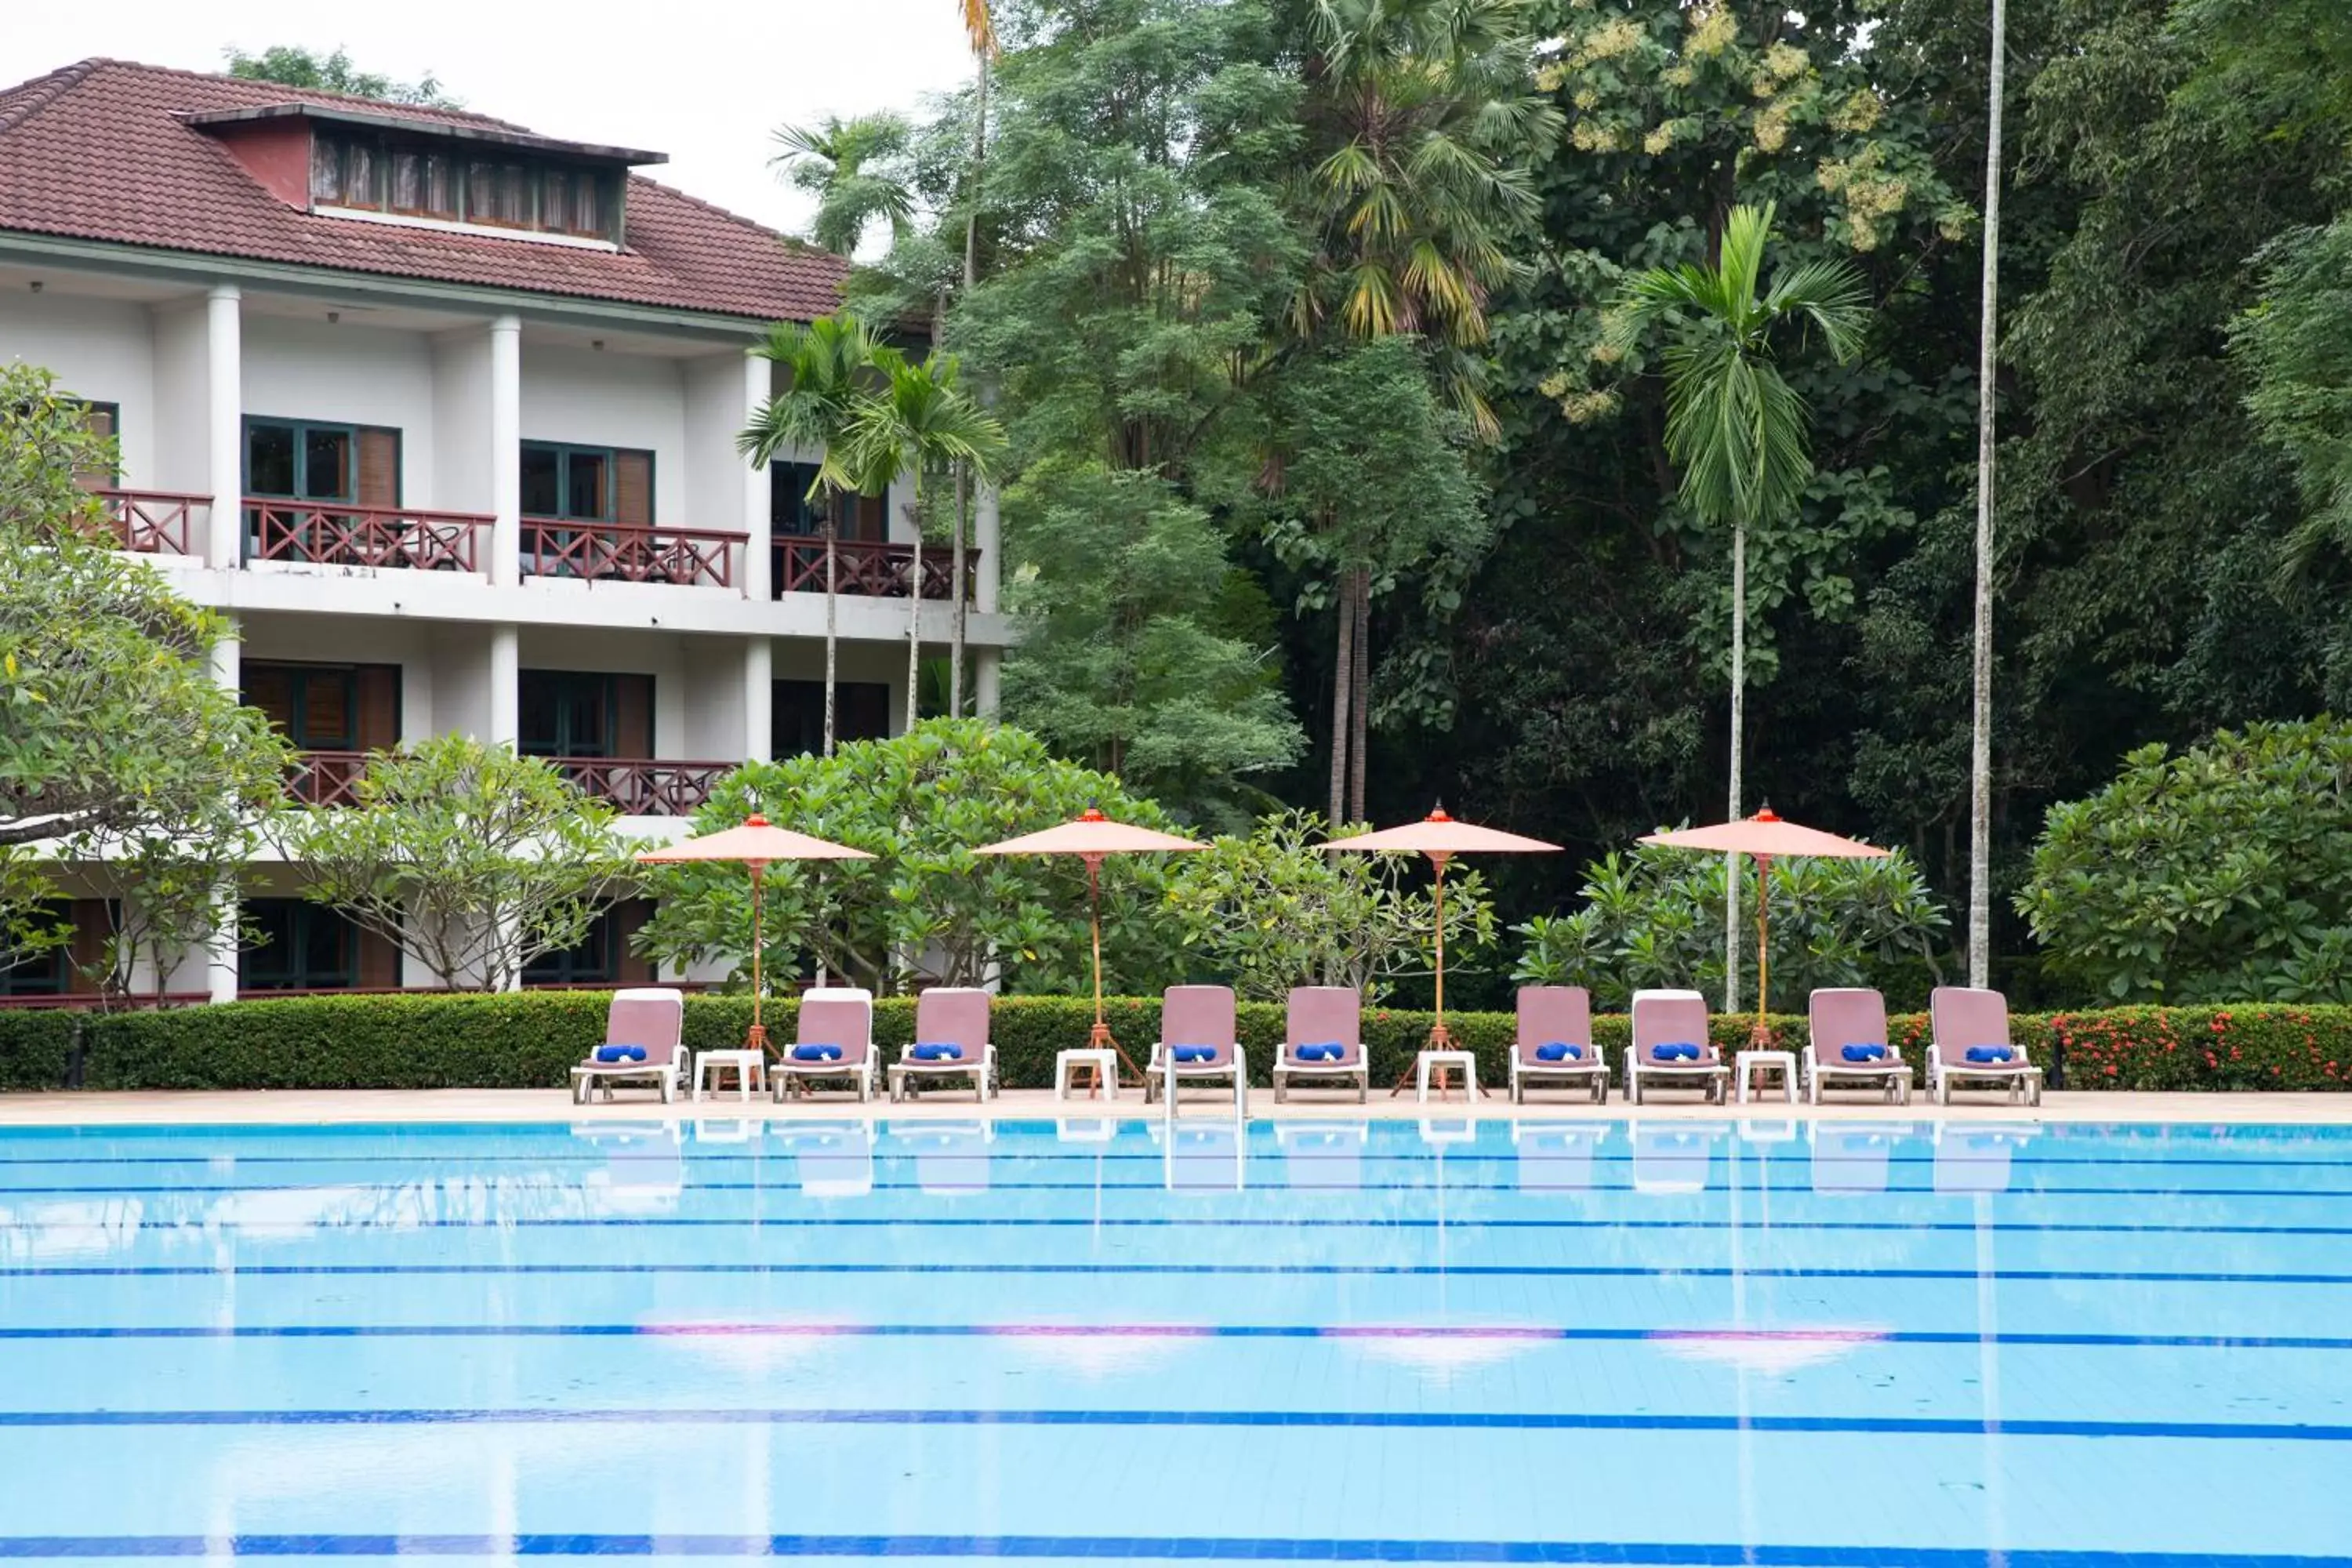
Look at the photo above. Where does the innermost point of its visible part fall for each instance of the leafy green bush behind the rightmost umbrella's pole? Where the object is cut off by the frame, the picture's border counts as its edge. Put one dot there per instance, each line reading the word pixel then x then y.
pixel 1655 918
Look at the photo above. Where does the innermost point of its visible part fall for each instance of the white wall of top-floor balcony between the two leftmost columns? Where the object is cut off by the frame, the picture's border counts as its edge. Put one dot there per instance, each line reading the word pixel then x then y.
pixel 349 375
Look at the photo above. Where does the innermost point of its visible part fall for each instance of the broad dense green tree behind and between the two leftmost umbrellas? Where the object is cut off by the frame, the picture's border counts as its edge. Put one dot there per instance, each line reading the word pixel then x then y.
pixel 926 911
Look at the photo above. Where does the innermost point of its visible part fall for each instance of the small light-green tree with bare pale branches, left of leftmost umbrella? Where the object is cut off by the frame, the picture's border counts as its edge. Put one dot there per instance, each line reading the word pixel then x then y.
pixel 472 859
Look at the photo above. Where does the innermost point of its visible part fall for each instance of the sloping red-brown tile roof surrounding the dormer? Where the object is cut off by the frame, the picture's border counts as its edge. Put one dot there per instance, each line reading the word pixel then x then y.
pixel 100 152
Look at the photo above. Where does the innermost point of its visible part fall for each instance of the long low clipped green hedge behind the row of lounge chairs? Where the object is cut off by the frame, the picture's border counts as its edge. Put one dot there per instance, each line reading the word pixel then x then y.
pixel 533 1040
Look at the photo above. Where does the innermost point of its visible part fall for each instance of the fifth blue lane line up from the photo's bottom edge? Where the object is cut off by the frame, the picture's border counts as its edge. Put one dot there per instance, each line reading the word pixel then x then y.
pixel 1753 1228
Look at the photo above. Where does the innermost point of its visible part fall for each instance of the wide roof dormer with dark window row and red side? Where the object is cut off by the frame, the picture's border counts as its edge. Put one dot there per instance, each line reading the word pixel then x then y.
pixel 387 166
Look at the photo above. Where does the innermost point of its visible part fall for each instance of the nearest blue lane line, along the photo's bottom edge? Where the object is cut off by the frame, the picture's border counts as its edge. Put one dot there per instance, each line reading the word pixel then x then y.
pixel 1147 1548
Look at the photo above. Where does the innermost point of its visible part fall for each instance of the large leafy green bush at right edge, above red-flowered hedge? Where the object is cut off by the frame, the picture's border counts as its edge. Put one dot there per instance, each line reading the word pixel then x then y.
pixel 2214 876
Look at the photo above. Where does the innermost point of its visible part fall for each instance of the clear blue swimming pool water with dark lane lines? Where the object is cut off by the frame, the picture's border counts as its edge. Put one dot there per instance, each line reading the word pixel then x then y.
pixel 1655 1343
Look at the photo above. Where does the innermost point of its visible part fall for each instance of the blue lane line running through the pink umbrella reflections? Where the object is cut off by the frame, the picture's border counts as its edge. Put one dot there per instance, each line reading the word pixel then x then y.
pixel 1511 1334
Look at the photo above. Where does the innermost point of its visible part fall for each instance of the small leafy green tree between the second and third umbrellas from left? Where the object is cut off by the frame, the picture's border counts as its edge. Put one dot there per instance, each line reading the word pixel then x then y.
pixel 1276 909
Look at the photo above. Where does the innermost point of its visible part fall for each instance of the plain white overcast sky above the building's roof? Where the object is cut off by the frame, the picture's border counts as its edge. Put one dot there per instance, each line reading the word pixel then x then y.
pixel 702 83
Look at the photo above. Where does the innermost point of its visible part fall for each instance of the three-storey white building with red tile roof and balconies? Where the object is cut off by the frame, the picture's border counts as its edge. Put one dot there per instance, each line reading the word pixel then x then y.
pixel 446 417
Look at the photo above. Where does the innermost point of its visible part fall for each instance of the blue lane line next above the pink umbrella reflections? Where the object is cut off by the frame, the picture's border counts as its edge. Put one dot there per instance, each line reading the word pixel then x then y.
pixel 1252 1271
